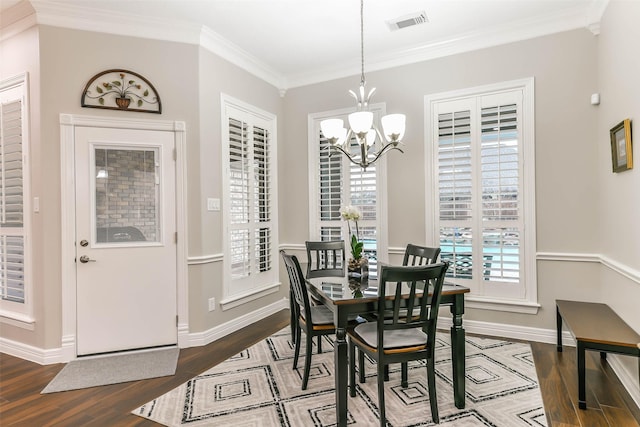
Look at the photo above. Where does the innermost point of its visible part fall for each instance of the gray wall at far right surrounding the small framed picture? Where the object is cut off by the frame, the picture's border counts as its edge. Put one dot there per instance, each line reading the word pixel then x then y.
pixel 618 204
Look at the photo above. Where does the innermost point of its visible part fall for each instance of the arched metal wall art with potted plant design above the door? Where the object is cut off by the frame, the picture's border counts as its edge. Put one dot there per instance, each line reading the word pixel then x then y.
pixel 121 90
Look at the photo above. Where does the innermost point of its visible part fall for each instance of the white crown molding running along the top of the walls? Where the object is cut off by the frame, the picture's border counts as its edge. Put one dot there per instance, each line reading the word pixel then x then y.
pixel 90 19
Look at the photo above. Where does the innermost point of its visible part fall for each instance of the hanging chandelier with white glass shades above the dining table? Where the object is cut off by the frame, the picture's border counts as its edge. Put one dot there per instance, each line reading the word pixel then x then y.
pixel 361 125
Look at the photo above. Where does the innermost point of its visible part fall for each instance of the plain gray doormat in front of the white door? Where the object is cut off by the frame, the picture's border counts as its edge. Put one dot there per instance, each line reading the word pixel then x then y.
pixel 113 369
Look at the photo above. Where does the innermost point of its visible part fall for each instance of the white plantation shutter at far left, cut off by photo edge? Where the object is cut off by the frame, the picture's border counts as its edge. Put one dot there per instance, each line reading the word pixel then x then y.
pixel 12 232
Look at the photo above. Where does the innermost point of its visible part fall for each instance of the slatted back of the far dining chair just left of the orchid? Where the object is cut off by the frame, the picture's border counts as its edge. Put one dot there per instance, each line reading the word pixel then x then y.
pixel 325 258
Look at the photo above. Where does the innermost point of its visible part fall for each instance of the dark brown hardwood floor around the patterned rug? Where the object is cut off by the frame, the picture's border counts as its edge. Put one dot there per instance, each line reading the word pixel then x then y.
pixel 21 403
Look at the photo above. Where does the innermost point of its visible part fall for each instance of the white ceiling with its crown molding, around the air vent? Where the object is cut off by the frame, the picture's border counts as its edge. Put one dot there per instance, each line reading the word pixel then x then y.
pixel 296 42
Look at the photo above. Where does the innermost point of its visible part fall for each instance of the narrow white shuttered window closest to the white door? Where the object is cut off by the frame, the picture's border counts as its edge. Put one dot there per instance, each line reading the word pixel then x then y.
pixel 250 202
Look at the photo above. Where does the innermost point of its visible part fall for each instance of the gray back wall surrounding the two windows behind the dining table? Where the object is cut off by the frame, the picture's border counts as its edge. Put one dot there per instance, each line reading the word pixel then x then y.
pixel 566 153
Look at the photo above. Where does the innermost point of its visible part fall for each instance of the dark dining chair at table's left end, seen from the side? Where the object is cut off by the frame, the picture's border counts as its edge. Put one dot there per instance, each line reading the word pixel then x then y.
pixel 314 320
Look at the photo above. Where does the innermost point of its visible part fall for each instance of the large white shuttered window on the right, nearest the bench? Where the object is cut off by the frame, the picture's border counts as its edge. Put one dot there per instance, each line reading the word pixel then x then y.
pixel 480 160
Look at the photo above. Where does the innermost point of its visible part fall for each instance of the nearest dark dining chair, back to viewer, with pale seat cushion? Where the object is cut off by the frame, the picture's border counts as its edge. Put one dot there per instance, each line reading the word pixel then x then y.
pixel 408 334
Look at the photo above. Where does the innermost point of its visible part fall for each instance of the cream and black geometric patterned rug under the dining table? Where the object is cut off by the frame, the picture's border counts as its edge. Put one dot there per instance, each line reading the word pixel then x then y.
pixel 258 387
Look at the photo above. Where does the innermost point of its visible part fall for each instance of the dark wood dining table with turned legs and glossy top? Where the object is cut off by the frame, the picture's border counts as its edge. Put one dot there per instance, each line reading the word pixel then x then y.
pixel 345 302
